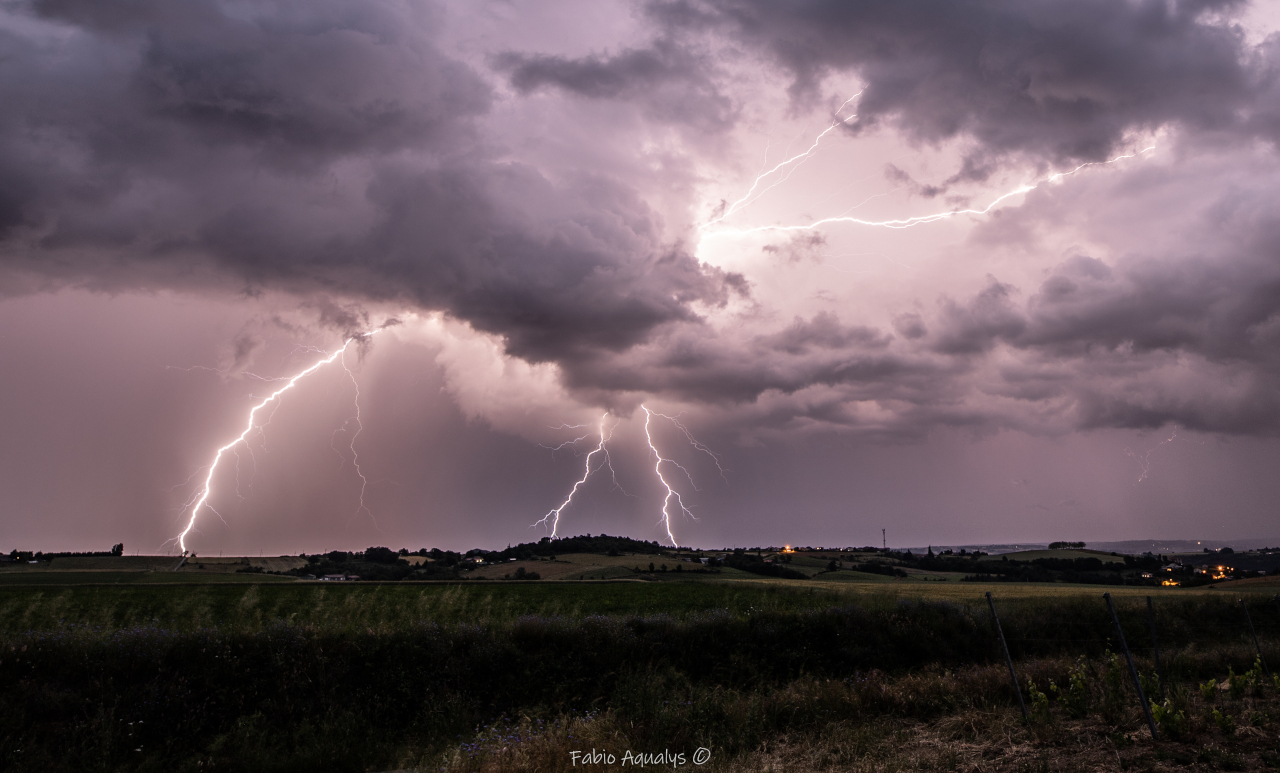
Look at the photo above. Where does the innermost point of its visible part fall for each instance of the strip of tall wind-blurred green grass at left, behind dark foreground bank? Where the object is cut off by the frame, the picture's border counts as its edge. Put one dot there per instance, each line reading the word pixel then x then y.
pixel 376 606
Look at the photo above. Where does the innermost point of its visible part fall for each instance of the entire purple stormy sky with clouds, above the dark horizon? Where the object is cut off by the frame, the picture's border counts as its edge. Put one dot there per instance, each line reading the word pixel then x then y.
pixel 575 209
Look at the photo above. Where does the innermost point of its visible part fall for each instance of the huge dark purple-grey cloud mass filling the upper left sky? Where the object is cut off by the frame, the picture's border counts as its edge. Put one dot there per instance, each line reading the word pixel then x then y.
pixel 328 148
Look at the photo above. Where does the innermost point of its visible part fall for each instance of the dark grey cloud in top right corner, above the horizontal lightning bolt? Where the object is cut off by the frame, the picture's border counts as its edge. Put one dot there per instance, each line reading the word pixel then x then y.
pixel 1054 79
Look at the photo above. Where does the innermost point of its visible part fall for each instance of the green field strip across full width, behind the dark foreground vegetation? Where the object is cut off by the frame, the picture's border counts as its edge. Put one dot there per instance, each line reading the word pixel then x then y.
pixel 36 601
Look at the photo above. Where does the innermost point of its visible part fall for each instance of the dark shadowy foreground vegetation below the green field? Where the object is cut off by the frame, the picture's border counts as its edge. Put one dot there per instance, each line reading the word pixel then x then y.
pixel 487 679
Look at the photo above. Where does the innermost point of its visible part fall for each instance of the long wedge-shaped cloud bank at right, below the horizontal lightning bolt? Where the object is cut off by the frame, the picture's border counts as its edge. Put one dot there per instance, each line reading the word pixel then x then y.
pixel 1145 342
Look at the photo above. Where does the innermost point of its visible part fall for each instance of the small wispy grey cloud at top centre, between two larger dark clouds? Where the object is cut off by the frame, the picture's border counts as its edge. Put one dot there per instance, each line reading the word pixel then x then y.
pixel 669 81
